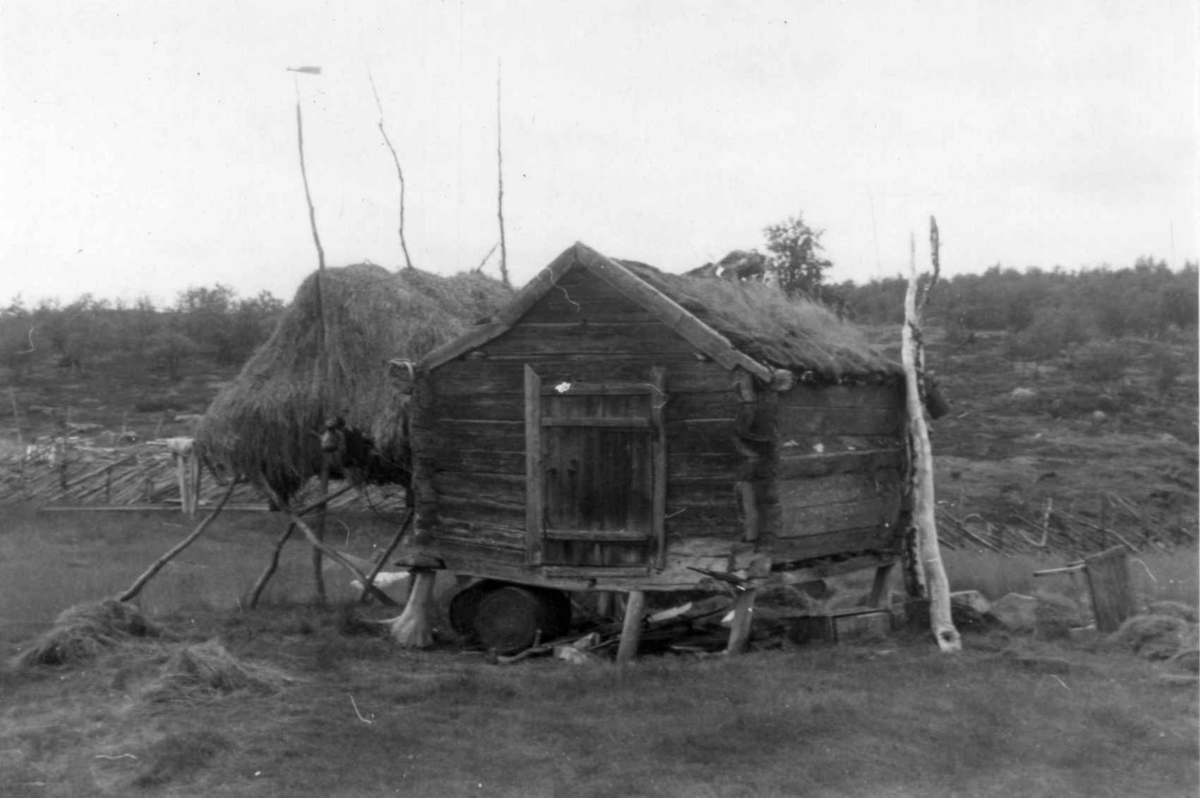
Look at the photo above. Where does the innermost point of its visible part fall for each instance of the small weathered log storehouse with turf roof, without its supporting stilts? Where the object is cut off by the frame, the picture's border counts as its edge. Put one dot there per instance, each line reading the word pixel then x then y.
pixel 620 429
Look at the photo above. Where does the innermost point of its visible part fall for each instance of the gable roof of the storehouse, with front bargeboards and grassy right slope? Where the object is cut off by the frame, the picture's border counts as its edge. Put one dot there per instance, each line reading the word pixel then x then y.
pixel 748 326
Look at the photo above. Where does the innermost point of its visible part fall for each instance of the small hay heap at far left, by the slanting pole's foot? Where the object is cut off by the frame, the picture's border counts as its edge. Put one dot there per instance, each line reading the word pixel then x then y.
pixel 85 632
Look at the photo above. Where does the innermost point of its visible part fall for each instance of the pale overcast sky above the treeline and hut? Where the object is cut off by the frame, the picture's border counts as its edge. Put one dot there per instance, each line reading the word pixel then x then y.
pixel 149 147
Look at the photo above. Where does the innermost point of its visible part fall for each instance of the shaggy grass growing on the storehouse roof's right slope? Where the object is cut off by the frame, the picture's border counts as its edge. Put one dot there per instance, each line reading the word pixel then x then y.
pixel 759 320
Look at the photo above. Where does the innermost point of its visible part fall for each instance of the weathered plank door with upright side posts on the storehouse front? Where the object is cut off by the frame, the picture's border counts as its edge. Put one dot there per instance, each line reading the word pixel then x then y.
pixel 597 469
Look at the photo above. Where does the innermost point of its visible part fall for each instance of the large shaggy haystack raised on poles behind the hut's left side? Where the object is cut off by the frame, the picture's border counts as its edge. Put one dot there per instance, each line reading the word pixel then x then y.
pixel 269 418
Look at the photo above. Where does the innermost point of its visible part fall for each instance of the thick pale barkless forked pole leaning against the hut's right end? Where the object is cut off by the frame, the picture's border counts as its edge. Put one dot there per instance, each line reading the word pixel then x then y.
pixel 922 469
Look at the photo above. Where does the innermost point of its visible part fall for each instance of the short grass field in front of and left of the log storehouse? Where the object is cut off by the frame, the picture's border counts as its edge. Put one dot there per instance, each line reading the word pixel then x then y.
pixel 358 716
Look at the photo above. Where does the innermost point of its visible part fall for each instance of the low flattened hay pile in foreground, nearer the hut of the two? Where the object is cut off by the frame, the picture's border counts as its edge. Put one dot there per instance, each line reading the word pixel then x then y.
pixel 207 671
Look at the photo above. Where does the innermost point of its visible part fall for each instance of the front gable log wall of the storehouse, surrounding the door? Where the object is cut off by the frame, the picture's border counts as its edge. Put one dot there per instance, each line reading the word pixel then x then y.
pixel 469 423
